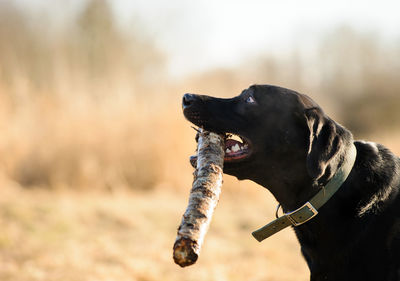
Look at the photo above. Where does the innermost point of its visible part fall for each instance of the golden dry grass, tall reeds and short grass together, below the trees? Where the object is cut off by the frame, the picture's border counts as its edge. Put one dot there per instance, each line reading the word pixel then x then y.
pixel 97 191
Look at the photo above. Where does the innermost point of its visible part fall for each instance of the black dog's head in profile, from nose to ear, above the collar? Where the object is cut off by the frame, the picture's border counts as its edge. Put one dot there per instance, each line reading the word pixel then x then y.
pixel 281 136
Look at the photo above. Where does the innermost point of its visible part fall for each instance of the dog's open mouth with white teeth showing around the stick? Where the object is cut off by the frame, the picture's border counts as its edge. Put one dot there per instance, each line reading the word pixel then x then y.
pixel 237 148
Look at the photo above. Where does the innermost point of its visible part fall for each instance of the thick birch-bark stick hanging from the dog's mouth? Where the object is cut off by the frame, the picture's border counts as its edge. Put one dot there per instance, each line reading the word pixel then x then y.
pixel 203 198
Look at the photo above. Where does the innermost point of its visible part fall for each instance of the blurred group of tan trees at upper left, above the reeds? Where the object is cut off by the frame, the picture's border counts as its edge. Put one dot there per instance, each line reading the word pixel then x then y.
pixel 89 55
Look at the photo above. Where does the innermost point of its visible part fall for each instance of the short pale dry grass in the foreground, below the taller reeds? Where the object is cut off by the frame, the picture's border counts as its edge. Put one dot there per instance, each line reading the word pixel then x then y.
pixel 64 235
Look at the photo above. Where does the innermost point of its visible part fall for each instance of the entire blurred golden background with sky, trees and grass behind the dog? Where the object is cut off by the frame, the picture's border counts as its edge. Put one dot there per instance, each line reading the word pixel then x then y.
pixel 94 170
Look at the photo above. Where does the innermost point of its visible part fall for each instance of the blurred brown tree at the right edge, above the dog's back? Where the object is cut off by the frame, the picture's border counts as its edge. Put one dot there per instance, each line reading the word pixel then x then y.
pixel 361 72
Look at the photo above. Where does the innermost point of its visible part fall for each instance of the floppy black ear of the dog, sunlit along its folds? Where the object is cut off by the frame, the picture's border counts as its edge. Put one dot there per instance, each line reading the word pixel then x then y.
pixel 327 146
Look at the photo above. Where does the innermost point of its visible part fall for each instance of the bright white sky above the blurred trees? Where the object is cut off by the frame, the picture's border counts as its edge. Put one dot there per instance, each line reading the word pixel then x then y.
pixel 198 35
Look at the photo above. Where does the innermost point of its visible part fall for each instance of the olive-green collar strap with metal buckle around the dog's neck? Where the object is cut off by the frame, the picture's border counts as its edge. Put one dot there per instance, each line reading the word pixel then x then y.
pixel 310 209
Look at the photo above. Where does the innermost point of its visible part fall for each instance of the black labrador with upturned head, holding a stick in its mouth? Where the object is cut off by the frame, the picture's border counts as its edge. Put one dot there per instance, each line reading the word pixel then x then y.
pixel 291 147
